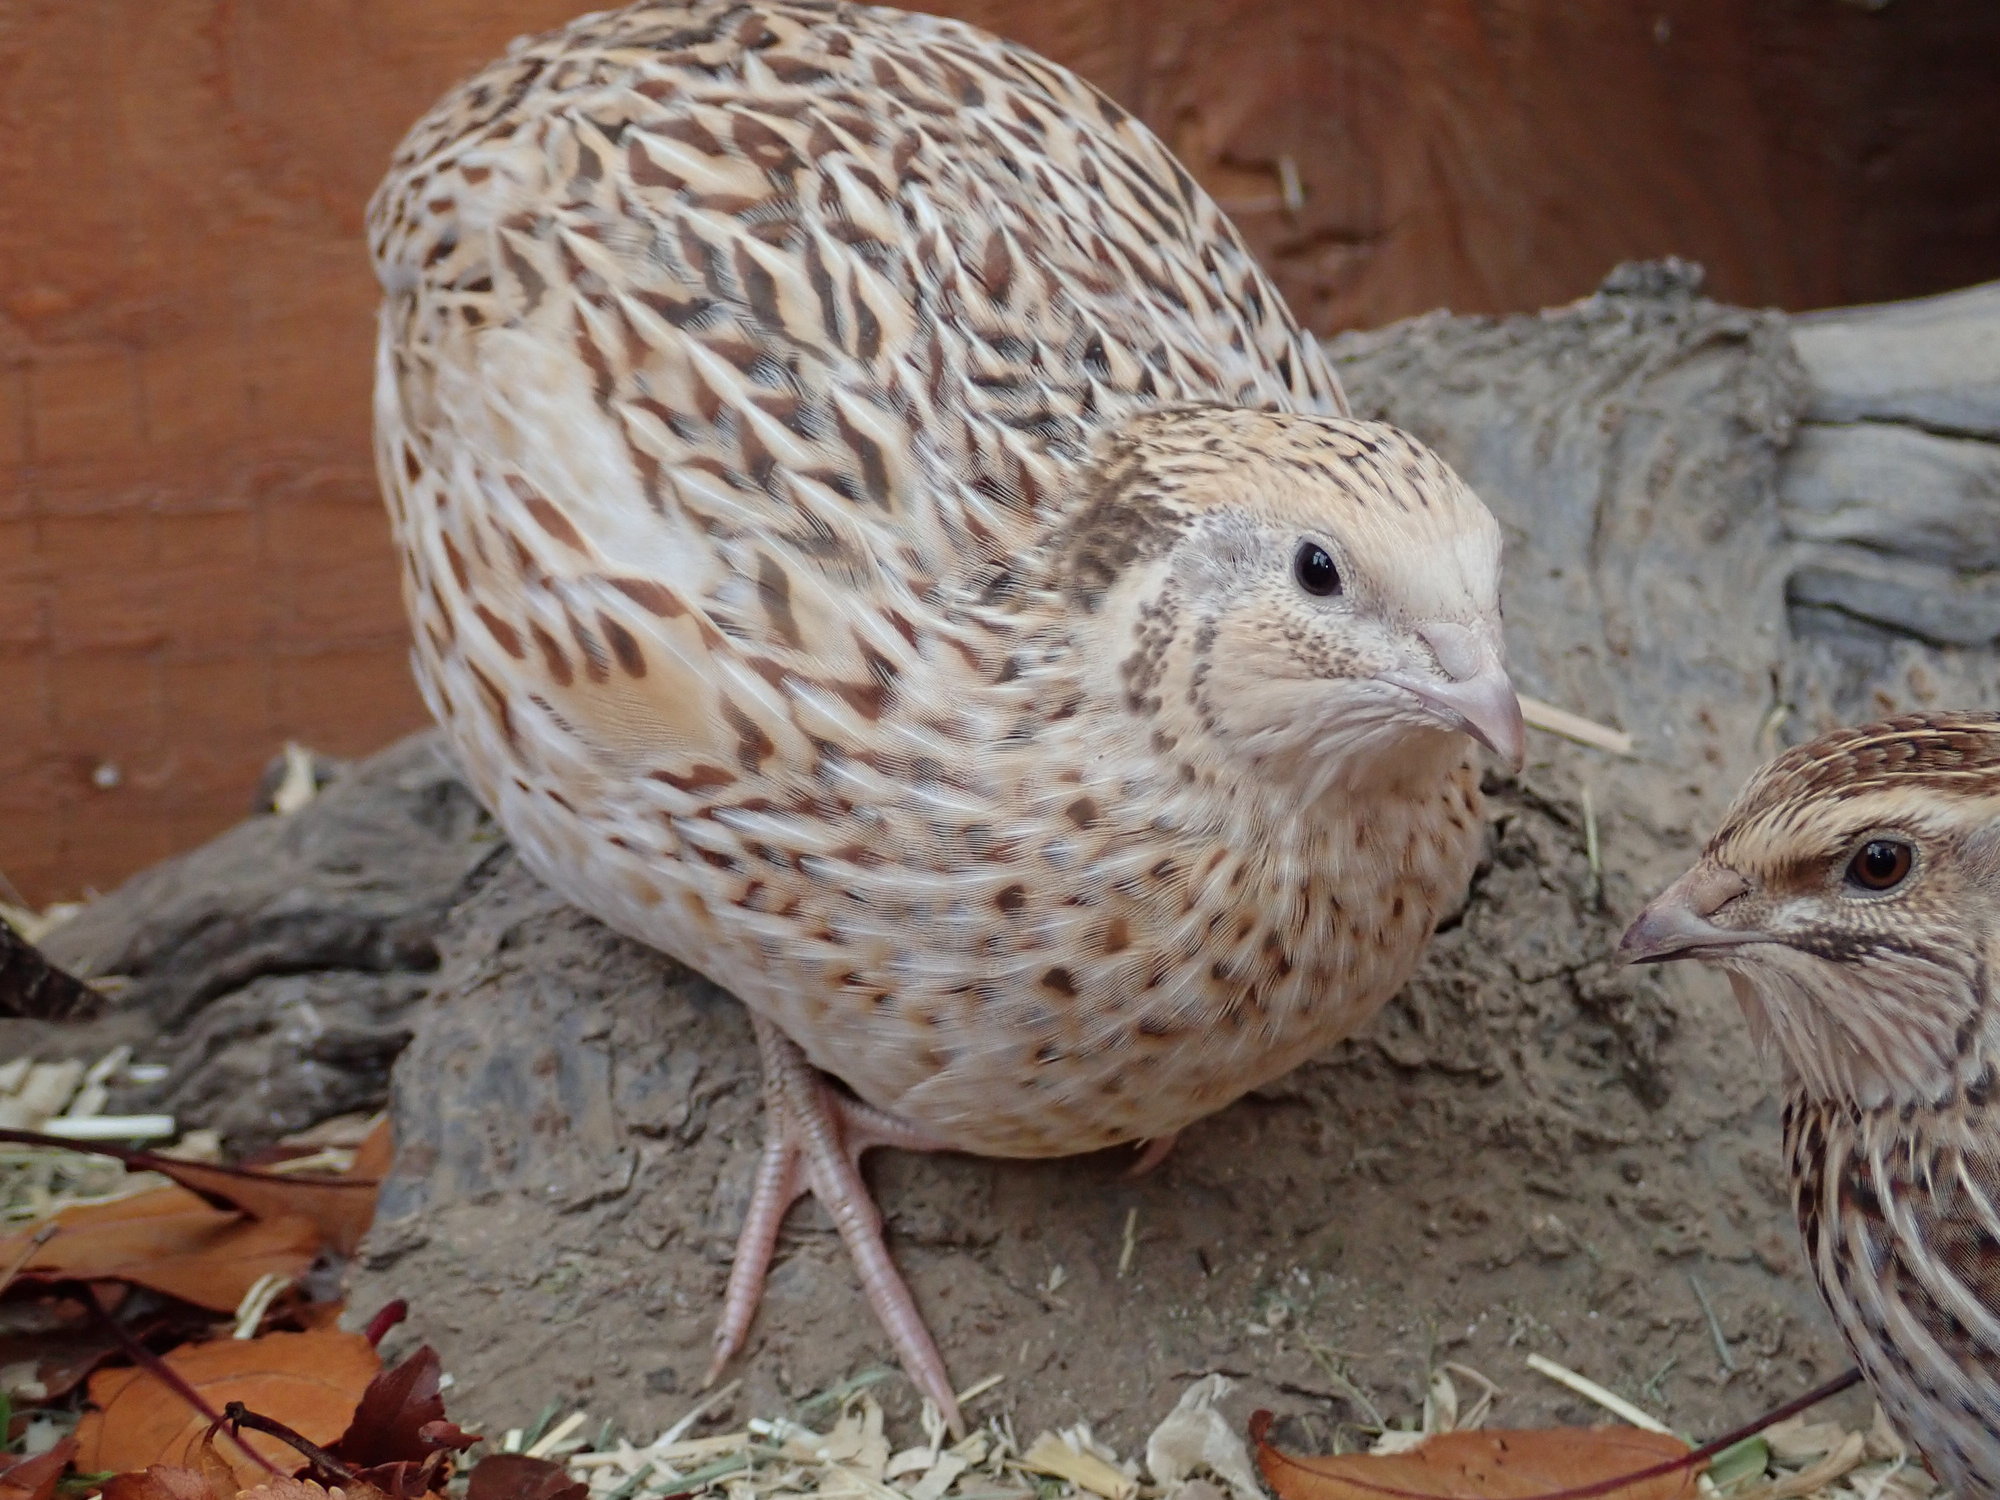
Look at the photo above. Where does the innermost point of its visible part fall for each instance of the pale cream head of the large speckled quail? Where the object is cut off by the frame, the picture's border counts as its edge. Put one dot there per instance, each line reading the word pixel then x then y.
pixel 1305 597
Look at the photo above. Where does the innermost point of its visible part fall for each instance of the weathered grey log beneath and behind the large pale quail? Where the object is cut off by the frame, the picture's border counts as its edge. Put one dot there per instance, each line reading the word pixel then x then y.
pixel 1529 1151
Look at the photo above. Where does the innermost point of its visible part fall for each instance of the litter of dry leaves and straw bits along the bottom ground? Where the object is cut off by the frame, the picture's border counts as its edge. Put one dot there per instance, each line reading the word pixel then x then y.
pixel 121 1253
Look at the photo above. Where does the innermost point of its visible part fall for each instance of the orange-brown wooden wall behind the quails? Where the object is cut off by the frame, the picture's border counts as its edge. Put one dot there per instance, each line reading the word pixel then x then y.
pixel 193 559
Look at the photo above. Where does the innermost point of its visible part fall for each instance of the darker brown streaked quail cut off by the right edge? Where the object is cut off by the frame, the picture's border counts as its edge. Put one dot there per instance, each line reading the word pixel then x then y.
pixel 1853 899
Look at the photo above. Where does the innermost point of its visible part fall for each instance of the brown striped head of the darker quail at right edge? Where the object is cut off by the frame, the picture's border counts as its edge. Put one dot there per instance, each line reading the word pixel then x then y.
pixel 1853 897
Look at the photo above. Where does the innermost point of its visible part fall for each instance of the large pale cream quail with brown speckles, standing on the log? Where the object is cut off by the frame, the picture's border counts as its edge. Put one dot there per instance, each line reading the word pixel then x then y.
pixel 873 533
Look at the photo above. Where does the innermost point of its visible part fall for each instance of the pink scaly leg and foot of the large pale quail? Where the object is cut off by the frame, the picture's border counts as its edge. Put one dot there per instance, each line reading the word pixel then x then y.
pixel 815 1139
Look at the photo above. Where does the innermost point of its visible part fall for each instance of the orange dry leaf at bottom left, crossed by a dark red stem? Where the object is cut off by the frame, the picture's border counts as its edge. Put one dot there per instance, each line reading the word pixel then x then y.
pixel 309 1383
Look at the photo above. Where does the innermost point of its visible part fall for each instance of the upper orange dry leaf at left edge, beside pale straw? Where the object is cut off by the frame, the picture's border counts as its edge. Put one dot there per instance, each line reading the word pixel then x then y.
pixel 173 1243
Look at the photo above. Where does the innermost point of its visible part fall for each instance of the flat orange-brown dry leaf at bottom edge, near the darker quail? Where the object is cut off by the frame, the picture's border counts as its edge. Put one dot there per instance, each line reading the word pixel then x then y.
pixel 1483 1467
